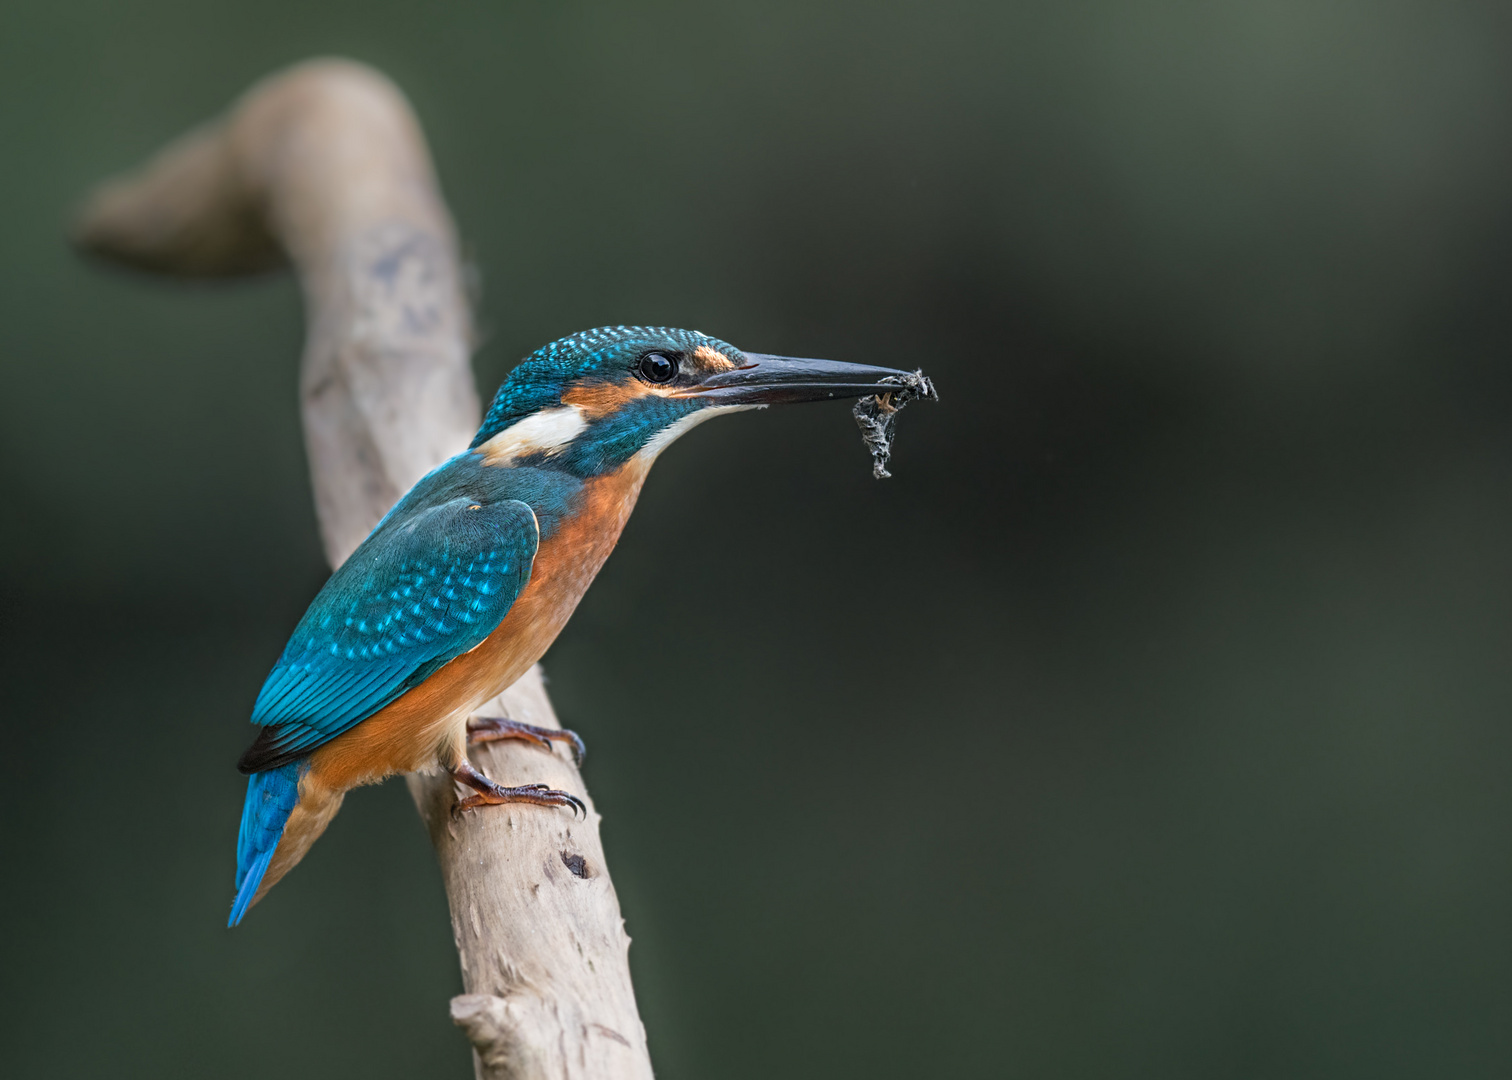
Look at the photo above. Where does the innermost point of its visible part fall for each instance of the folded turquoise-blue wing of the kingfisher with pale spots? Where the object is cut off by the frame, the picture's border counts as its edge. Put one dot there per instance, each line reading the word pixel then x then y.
pixel 420 592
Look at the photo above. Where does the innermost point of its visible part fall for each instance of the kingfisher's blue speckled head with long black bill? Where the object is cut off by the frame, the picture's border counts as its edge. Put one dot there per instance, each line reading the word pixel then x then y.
pixel 593 402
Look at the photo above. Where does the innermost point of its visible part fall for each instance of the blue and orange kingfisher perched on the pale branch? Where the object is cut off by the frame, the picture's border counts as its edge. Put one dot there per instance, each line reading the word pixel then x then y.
pixel 474 573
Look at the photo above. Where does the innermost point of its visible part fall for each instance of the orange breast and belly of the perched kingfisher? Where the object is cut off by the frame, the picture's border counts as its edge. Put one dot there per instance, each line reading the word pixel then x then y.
pixel 429 725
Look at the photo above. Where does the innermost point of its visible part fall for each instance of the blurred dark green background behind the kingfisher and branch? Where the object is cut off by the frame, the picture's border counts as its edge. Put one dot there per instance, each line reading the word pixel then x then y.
pixel 1151 722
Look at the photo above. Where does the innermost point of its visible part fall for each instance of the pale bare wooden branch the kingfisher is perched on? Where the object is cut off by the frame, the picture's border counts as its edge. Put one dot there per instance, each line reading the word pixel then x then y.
pixel 326 166
